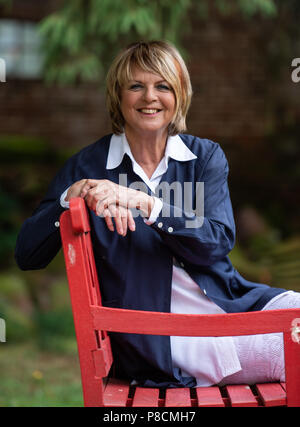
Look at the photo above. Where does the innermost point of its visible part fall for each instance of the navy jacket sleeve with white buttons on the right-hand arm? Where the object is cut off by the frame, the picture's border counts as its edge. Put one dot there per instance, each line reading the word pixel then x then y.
pixel 206 235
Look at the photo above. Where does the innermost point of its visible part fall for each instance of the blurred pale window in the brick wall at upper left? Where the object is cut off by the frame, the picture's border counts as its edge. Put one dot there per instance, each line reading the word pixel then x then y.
pixel 20 48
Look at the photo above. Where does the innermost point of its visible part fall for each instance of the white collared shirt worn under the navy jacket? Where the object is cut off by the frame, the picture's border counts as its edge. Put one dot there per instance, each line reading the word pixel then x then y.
pixel 207 359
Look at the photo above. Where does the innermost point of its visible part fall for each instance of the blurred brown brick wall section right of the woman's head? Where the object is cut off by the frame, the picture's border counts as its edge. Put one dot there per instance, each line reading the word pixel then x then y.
pixel 236 96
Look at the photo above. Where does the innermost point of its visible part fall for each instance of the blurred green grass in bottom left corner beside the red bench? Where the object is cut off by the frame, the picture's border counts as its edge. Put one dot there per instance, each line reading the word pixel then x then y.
pixel 34 378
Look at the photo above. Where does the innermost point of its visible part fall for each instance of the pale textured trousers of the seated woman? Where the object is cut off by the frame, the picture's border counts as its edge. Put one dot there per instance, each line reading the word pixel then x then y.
pixel 262 356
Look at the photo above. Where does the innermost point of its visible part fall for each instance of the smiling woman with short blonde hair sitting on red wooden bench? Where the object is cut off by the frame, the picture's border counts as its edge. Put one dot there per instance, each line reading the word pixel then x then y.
pixel 160 243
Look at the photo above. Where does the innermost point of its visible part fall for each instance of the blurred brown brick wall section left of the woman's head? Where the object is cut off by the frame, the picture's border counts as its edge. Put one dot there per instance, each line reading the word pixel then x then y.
pixel 63 116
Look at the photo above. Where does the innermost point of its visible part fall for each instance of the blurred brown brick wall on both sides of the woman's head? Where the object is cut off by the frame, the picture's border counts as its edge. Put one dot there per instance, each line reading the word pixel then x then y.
pixel 231 102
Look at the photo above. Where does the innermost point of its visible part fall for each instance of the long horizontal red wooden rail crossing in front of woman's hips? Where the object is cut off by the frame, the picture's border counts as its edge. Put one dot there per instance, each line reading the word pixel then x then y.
pixel 157 323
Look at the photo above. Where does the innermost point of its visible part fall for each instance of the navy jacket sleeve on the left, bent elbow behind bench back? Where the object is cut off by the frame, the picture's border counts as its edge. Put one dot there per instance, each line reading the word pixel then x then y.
pixel 39 239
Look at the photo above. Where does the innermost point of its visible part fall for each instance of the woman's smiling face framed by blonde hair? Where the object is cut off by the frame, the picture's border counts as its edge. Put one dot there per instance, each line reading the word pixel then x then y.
pixel 147 102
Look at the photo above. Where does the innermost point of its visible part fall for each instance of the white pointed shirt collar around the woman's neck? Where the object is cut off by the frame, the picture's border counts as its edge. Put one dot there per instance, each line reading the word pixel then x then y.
pixel 175 149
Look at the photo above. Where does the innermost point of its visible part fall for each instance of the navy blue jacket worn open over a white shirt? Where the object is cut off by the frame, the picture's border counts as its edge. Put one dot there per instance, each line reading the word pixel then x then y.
pixel 136 270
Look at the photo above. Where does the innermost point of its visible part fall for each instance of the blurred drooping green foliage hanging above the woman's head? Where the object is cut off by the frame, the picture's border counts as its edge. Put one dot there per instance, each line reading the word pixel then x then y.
pixel 82 37
